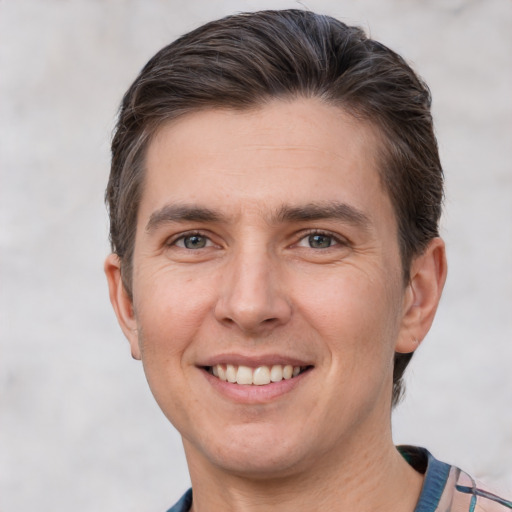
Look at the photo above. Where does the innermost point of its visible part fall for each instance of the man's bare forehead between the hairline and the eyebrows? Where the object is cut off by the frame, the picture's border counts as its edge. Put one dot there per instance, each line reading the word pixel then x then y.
pixel 285 152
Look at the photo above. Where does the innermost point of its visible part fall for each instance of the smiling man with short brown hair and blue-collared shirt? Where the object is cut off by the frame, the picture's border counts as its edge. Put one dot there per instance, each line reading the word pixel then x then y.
pixel 274 198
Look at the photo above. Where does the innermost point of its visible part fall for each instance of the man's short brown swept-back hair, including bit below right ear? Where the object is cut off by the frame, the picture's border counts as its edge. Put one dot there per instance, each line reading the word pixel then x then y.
pixel 244 60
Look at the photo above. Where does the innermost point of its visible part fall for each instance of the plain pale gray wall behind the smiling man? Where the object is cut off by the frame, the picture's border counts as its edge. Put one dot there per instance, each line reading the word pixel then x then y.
pixel 78 427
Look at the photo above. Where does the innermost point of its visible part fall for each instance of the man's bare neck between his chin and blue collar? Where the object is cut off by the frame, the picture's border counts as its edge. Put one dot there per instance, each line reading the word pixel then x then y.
pixel 372 476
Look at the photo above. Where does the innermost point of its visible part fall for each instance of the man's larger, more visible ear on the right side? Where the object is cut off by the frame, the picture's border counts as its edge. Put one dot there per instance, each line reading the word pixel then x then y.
pixel 422 295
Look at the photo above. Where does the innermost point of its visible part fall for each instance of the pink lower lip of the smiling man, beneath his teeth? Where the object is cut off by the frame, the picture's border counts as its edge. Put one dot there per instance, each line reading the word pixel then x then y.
pixel 251 394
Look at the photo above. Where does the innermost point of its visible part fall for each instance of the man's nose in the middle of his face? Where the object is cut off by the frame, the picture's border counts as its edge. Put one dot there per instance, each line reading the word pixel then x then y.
pixel 253 295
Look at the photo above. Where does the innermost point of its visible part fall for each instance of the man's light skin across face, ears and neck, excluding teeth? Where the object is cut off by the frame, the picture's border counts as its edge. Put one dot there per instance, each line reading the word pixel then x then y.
pixel 255 188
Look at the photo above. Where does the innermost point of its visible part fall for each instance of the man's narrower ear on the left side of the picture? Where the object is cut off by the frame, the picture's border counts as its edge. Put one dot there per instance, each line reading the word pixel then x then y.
pixel 122 303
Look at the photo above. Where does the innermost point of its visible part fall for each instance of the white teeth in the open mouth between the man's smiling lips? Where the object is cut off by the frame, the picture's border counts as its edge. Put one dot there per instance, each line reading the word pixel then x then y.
pixel 260 376
